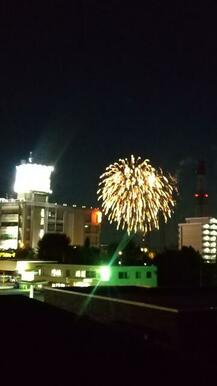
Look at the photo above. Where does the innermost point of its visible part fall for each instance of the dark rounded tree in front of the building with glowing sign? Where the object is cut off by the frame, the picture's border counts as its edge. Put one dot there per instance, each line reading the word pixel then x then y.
pixel 53 246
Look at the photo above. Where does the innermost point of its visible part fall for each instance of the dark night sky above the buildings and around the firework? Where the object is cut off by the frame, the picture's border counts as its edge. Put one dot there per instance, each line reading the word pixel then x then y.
pixel 85 84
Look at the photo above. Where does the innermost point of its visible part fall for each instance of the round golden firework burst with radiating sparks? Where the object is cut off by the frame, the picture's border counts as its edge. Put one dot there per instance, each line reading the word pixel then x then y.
pixel 134 193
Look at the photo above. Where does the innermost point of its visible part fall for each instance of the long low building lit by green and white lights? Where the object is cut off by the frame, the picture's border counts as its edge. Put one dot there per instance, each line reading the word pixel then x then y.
pixel 40 273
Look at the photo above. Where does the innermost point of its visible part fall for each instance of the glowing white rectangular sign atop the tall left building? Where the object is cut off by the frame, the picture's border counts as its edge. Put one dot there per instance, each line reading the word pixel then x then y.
pixel 33 177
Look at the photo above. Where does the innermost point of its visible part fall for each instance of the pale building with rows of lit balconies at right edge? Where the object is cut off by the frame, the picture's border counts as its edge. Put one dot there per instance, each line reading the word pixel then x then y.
pixel 200 233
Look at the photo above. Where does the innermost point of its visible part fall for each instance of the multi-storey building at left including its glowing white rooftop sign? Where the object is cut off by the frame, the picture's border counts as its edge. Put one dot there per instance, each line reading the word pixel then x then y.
pixel 24 220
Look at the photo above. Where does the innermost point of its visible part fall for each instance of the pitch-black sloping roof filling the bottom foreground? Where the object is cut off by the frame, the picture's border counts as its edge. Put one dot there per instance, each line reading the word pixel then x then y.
pixel 41 344
